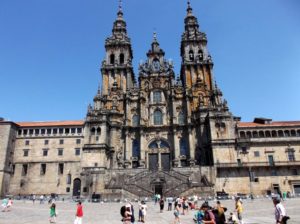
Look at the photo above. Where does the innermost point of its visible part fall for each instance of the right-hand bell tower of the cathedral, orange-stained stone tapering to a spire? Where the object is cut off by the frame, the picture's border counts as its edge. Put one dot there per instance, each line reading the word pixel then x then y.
pixel 196 69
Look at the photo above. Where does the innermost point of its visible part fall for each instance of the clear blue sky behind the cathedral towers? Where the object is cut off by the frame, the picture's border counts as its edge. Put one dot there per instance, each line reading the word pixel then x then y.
pixel 50 52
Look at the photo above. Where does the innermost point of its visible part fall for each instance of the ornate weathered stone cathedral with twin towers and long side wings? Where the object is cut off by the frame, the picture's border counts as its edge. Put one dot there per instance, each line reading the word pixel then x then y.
pixel 155 134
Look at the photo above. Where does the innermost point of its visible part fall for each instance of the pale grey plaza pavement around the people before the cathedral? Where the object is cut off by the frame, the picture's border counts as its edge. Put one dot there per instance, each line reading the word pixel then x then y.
pixel 258 211
